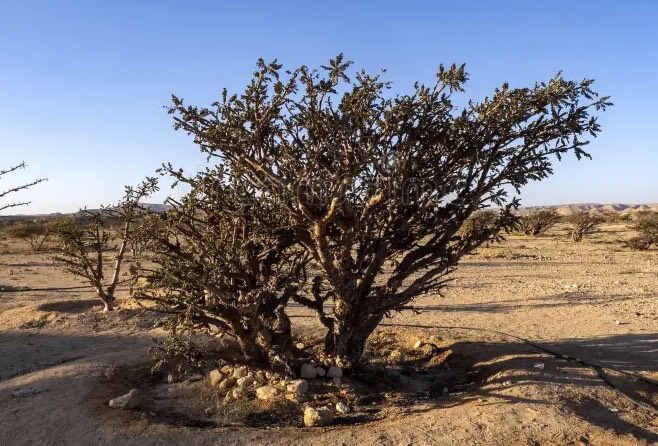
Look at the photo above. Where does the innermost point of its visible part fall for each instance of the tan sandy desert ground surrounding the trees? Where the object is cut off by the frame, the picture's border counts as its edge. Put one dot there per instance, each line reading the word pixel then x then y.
pixel 563 296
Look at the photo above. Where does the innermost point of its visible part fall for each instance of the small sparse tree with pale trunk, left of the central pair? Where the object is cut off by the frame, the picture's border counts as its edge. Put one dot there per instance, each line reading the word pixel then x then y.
pixel 85 238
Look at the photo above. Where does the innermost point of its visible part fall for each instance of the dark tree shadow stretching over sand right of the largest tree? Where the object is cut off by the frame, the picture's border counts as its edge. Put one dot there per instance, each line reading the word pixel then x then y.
pixel 495 368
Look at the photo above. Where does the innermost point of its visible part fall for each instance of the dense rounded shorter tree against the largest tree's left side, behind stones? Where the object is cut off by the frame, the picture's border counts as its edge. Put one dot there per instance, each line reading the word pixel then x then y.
pixel 222 260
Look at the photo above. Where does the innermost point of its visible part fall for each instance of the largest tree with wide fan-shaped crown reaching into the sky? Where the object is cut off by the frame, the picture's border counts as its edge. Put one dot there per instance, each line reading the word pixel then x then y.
pixel 369 180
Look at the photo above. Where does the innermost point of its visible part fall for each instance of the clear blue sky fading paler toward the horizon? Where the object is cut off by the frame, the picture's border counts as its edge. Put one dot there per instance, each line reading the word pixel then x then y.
pixel 82 83
